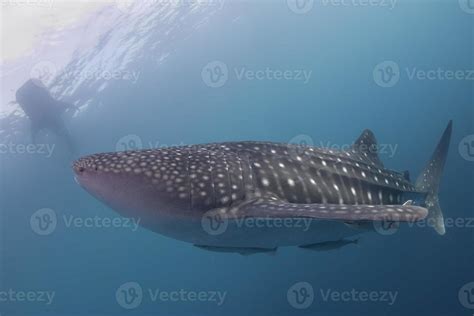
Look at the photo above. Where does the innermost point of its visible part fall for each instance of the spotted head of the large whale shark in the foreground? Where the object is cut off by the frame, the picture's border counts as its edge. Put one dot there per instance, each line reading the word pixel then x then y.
pixel 136 184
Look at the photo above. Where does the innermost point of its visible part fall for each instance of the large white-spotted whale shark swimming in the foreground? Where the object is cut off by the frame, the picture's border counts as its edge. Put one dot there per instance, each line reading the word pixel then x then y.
pixel 249 197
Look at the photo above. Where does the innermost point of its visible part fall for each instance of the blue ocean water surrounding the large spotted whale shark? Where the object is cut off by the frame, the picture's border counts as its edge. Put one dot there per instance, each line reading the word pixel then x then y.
pixel 212 73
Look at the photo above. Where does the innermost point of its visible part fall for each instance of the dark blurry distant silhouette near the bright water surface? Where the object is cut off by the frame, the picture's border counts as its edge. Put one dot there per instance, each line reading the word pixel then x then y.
pixel 44 111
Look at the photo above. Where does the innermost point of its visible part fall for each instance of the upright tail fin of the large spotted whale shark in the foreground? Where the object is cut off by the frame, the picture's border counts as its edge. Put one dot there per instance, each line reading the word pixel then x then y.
pixel 430 178
